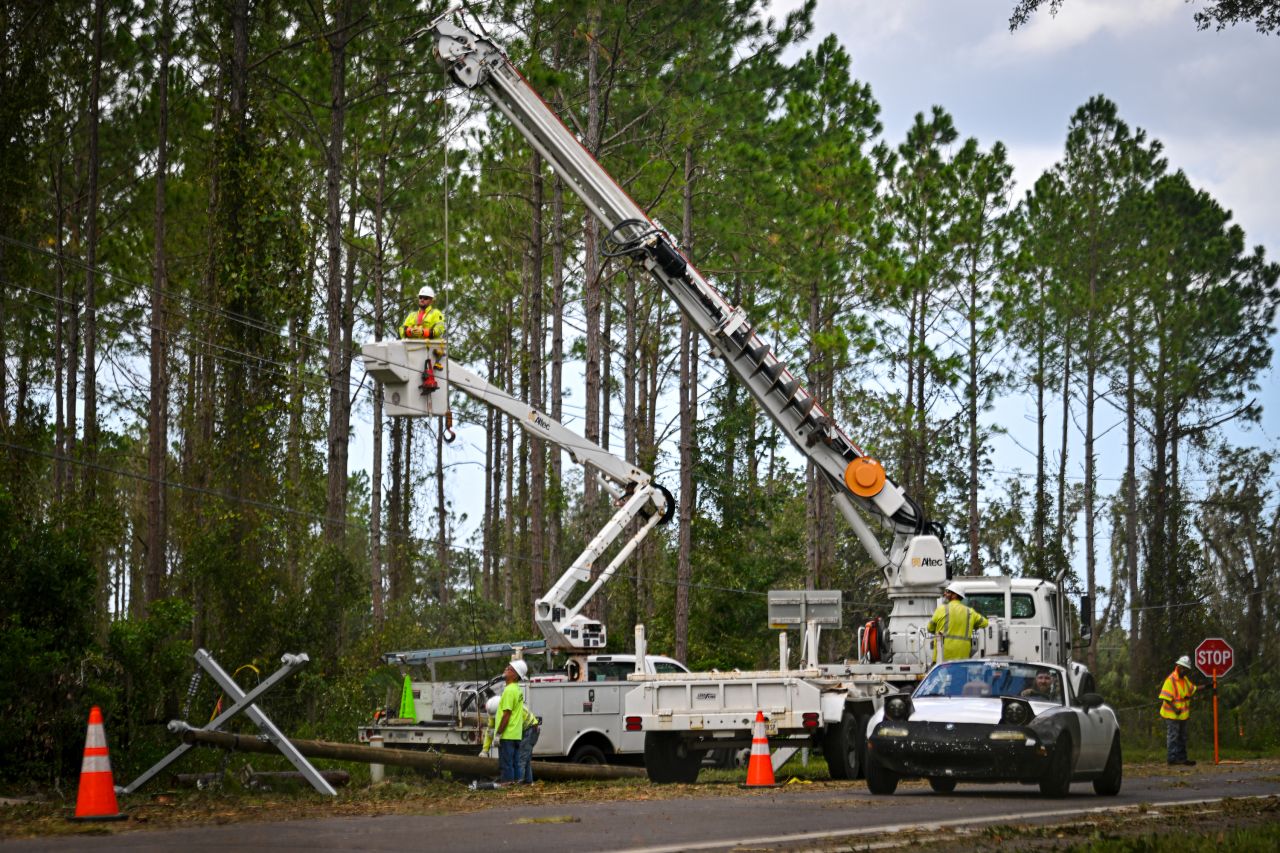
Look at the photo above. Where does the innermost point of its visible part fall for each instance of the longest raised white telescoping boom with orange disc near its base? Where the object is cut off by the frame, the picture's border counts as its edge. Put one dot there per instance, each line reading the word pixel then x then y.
pixel 860 482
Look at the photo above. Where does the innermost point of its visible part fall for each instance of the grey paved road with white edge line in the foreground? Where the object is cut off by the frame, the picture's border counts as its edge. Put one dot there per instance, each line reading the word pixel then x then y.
pixel 761 819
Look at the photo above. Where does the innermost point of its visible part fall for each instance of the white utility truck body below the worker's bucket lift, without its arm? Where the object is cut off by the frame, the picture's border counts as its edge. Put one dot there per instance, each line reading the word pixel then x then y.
pixel 582 720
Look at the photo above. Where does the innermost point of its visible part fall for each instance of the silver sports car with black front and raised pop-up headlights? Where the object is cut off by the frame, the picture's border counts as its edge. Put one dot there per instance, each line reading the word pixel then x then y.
pixel 996 720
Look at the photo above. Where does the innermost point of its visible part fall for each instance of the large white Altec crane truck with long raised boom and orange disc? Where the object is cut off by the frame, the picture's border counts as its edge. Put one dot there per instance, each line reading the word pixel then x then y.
pixel 822 705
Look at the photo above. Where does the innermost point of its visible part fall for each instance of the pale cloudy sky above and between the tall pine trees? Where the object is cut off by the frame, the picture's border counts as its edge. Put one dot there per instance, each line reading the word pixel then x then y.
pixel 1209 97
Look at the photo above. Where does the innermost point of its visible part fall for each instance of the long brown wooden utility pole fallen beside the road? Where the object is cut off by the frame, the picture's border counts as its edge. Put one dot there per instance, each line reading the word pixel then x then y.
pixel 403 758
